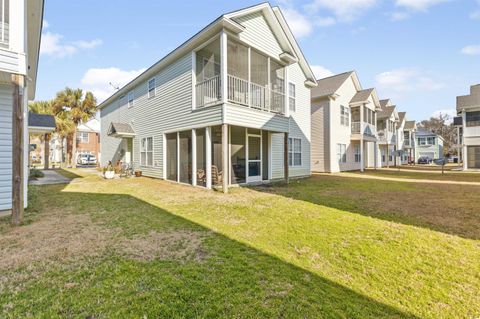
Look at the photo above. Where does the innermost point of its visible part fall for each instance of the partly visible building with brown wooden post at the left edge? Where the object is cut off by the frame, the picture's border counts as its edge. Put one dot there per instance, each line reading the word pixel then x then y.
pixel 20 29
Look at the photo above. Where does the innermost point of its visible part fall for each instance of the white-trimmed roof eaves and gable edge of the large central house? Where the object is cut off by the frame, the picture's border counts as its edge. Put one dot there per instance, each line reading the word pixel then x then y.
pixel 228 22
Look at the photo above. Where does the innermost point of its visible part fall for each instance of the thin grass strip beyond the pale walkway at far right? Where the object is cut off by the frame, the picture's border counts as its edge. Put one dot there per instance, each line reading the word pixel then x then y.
pixel 412 174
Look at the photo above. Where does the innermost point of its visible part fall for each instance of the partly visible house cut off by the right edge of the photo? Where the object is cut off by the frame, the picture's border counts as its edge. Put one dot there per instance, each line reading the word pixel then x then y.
pixel 468 107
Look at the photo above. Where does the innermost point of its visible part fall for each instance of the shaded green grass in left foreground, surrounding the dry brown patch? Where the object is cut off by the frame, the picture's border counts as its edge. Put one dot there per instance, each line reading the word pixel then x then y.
pixel 236 280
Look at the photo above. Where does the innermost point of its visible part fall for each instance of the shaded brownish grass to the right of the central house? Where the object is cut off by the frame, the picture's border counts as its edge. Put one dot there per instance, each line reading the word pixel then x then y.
pixel 451 209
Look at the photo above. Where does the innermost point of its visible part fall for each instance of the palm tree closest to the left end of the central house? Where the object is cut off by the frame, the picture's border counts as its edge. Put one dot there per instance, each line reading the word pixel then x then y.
pixel 77 107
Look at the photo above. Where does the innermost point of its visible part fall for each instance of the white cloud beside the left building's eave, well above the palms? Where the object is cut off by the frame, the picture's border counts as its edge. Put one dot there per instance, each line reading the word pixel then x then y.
pixel 54 46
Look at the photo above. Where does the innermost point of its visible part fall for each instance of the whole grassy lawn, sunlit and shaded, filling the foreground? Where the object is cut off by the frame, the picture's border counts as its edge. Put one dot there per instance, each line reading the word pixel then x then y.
pixel 325 247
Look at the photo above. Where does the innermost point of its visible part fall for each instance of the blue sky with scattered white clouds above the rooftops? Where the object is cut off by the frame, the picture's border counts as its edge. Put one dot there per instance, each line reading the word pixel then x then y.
pixel 419 53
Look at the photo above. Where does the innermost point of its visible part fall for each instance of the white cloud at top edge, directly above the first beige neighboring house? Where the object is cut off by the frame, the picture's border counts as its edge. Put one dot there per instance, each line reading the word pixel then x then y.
pixel 344 10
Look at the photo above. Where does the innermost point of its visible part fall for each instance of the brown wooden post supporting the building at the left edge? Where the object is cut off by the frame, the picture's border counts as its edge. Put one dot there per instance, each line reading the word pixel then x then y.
pixel 18 164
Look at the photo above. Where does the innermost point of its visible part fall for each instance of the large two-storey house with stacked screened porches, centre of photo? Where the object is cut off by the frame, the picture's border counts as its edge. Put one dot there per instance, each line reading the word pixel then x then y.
pixel 229 106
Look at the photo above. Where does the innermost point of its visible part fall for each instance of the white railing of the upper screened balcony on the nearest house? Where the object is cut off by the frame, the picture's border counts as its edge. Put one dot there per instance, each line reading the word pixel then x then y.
pixel 240 91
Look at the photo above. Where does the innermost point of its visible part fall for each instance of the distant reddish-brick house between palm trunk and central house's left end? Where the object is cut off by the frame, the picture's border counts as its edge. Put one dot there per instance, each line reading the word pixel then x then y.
pixel 88 138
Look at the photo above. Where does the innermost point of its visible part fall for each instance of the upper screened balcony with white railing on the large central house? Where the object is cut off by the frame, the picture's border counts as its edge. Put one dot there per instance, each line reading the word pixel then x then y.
pixel 254 80
